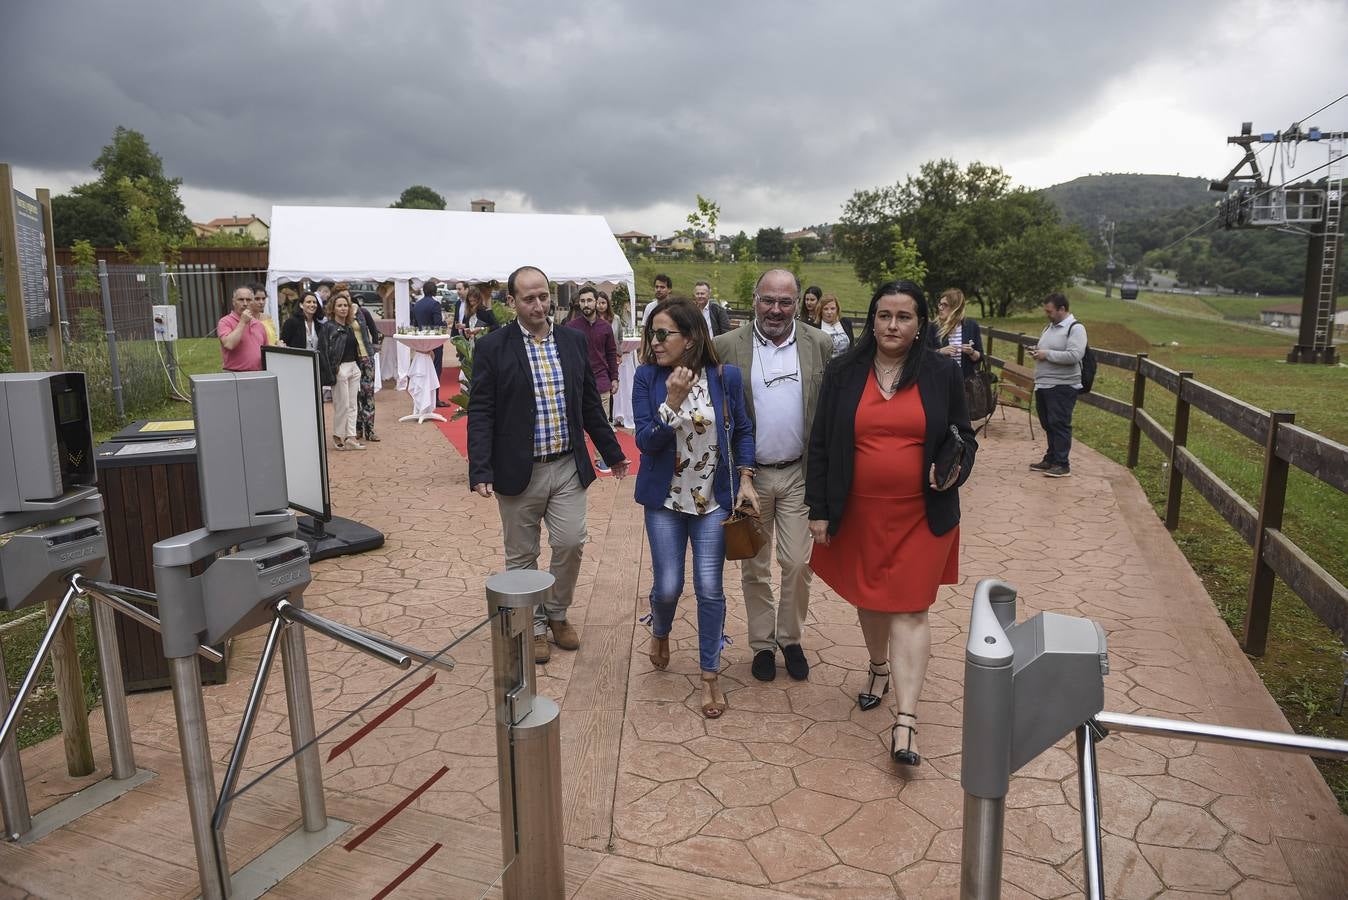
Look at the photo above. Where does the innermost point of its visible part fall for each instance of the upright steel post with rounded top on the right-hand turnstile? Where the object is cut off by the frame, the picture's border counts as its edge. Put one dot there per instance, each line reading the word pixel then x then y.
pixel 986 763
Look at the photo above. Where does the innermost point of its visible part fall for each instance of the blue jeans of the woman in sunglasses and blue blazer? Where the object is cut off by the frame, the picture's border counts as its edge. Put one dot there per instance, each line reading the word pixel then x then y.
pixel 669 534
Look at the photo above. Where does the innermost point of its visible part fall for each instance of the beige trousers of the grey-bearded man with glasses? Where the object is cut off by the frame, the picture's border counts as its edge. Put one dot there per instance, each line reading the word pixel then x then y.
pixel 787 519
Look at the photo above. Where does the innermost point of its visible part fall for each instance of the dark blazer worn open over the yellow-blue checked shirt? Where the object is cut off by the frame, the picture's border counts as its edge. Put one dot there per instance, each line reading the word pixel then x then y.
pixel 502 412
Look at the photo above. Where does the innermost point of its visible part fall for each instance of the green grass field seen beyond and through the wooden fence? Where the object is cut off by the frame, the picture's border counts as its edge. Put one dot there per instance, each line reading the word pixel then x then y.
pixel 1301 666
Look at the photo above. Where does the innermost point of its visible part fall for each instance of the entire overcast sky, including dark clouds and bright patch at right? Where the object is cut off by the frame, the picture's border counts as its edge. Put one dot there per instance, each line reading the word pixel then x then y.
pixel 776 111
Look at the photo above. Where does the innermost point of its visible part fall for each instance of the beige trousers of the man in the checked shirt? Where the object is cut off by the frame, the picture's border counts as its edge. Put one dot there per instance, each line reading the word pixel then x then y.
pixel 555 496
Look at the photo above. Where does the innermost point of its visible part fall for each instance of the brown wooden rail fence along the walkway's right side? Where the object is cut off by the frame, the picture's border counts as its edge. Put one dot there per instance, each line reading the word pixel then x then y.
pixel 1285 445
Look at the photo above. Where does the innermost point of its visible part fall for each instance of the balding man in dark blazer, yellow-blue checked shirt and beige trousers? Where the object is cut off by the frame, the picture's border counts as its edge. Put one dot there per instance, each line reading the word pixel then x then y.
pixel 530 408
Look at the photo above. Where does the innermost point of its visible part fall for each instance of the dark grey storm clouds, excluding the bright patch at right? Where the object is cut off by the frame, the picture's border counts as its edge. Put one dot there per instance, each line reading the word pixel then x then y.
pixel 599 106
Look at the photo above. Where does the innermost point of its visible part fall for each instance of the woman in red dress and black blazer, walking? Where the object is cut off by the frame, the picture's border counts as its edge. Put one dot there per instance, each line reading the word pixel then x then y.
pixel 886 534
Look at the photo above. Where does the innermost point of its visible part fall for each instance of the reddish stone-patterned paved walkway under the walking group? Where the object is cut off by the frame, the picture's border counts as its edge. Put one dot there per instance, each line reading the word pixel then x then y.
pixel 792 793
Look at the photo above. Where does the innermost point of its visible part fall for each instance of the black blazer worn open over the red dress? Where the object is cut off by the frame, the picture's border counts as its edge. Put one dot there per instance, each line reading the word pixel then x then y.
pixel 828 476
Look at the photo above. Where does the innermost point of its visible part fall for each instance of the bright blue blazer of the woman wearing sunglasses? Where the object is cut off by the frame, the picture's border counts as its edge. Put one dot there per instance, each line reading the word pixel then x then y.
pixel 656 440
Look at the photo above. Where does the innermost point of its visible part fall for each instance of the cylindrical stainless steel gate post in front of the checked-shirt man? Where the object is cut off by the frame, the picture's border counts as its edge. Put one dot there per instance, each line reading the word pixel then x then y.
pixel 529 743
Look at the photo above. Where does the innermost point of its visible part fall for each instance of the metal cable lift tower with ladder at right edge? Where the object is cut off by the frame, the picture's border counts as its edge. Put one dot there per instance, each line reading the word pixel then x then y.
pixel 1304 211
